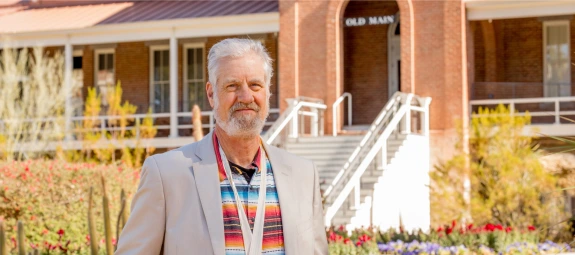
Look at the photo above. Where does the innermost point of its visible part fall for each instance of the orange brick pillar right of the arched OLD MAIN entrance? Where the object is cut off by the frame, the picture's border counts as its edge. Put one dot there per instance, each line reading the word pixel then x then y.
pixel 440 57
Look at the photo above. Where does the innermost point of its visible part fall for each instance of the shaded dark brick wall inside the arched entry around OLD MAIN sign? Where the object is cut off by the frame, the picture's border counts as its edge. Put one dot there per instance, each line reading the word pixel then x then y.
pixel 365 58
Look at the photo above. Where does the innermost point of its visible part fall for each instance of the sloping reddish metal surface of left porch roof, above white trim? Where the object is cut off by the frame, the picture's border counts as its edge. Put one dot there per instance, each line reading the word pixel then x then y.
pixel 25 17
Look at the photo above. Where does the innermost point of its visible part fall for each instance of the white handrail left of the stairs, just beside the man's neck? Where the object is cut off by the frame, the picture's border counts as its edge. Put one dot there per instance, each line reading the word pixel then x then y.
pixel 291 113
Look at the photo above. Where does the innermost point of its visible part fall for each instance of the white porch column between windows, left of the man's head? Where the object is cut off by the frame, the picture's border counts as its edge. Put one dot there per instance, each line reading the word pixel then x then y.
pixel 173 85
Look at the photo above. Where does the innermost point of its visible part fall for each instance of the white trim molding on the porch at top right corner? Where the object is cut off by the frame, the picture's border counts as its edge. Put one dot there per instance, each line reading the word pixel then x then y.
pixel 497 9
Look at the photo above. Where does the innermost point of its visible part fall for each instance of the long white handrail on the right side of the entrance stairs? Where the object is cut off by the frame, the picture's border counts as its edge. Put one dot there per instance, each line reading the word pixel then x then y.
pixel 397 109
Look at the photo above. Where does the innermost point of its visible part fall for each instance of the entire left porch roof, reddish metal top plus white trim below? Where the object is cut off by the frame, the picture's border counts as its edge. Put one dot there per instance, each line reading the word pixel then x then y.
pixel 60 22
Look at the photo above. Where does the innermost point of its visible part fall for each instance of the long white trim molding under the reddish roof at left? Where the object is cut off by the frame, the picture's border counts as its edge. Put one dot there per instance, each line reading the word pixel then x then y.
pixel 152 30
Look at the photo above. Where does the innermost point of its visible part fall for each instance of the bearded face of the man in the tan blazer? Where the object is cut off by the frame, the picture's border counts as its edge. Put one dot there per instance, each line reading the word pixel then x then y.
pixel 240 98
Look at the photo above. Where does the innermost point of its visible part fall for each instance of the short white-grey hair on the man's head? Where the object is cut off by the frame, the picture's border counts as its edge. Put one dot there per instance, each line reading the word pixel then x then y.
pixel 236 47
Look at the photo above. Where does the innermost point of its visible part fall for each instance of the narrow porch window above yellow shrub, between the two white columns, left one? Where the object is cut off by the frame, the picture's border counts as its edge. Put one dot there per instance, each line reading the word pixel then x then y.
pixel 105 73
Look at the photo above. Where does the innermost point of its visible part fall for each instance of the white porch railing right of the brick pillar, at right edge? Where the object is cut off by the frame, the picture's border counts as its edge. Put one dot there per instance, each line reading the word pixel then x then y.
pixel 556 113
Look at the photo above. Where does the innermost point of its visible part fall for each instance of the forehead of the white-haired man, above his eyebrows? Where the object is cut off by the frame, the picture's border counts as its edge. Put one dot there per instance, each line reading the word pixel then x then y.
pixel 249 66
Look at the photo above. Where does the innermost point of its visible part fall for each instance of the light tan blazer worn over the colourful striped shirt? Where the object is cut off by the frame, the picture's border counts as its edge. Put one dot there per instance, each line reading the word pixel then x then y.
pixel 178 206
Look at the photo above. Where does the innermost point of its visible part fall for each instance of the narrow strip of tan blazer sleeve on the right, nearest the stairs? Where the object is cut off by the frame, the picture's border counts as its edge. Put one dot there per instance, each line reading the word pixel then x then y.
pixel 320 238
